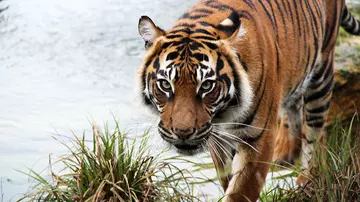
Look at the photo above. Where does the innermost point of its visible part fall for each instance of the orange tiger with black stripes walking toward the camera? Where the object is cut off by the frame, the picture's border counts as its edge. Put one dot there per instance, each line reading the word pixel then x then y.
pixel 220 77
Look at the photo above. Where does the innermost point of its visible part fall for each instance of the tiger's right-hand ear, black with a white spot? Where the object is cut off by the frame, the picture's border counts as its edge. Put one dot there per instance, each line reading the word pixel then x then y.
pixel 230 26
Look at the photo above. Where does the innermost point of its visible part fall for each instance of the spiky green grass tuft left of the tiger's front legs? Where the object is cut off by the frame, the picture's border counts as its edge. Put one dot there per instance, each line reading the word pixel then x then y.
pixel 111 169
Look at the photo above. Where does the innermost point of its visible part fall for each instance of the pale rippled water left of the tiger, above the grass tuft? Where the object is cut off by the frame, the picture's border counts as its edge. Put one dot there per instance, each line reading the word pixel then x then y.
pixel 63 63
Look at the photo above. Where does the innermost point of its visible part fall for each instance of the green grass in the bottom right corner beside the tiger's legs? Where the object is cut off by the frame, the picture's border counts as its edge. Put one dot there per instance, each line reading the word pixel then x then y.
pixel 335 175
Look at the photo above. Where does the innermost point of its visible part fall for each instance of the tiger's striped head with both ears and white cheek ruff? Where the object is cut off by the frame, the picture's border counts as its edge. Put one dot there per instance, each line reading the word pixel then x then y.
pixel 190 75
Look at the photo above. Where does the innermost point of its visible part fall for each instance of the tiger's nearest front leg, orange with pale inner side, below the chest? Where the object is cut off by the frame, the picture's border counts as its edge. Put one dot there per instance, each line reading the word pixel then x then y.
pixel 249 169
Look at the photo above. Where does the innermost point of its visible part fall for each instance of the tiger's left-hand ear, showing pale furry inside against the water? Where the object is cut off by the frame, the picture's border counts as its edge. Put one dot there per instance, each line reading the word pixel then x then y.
pixel 149 31
